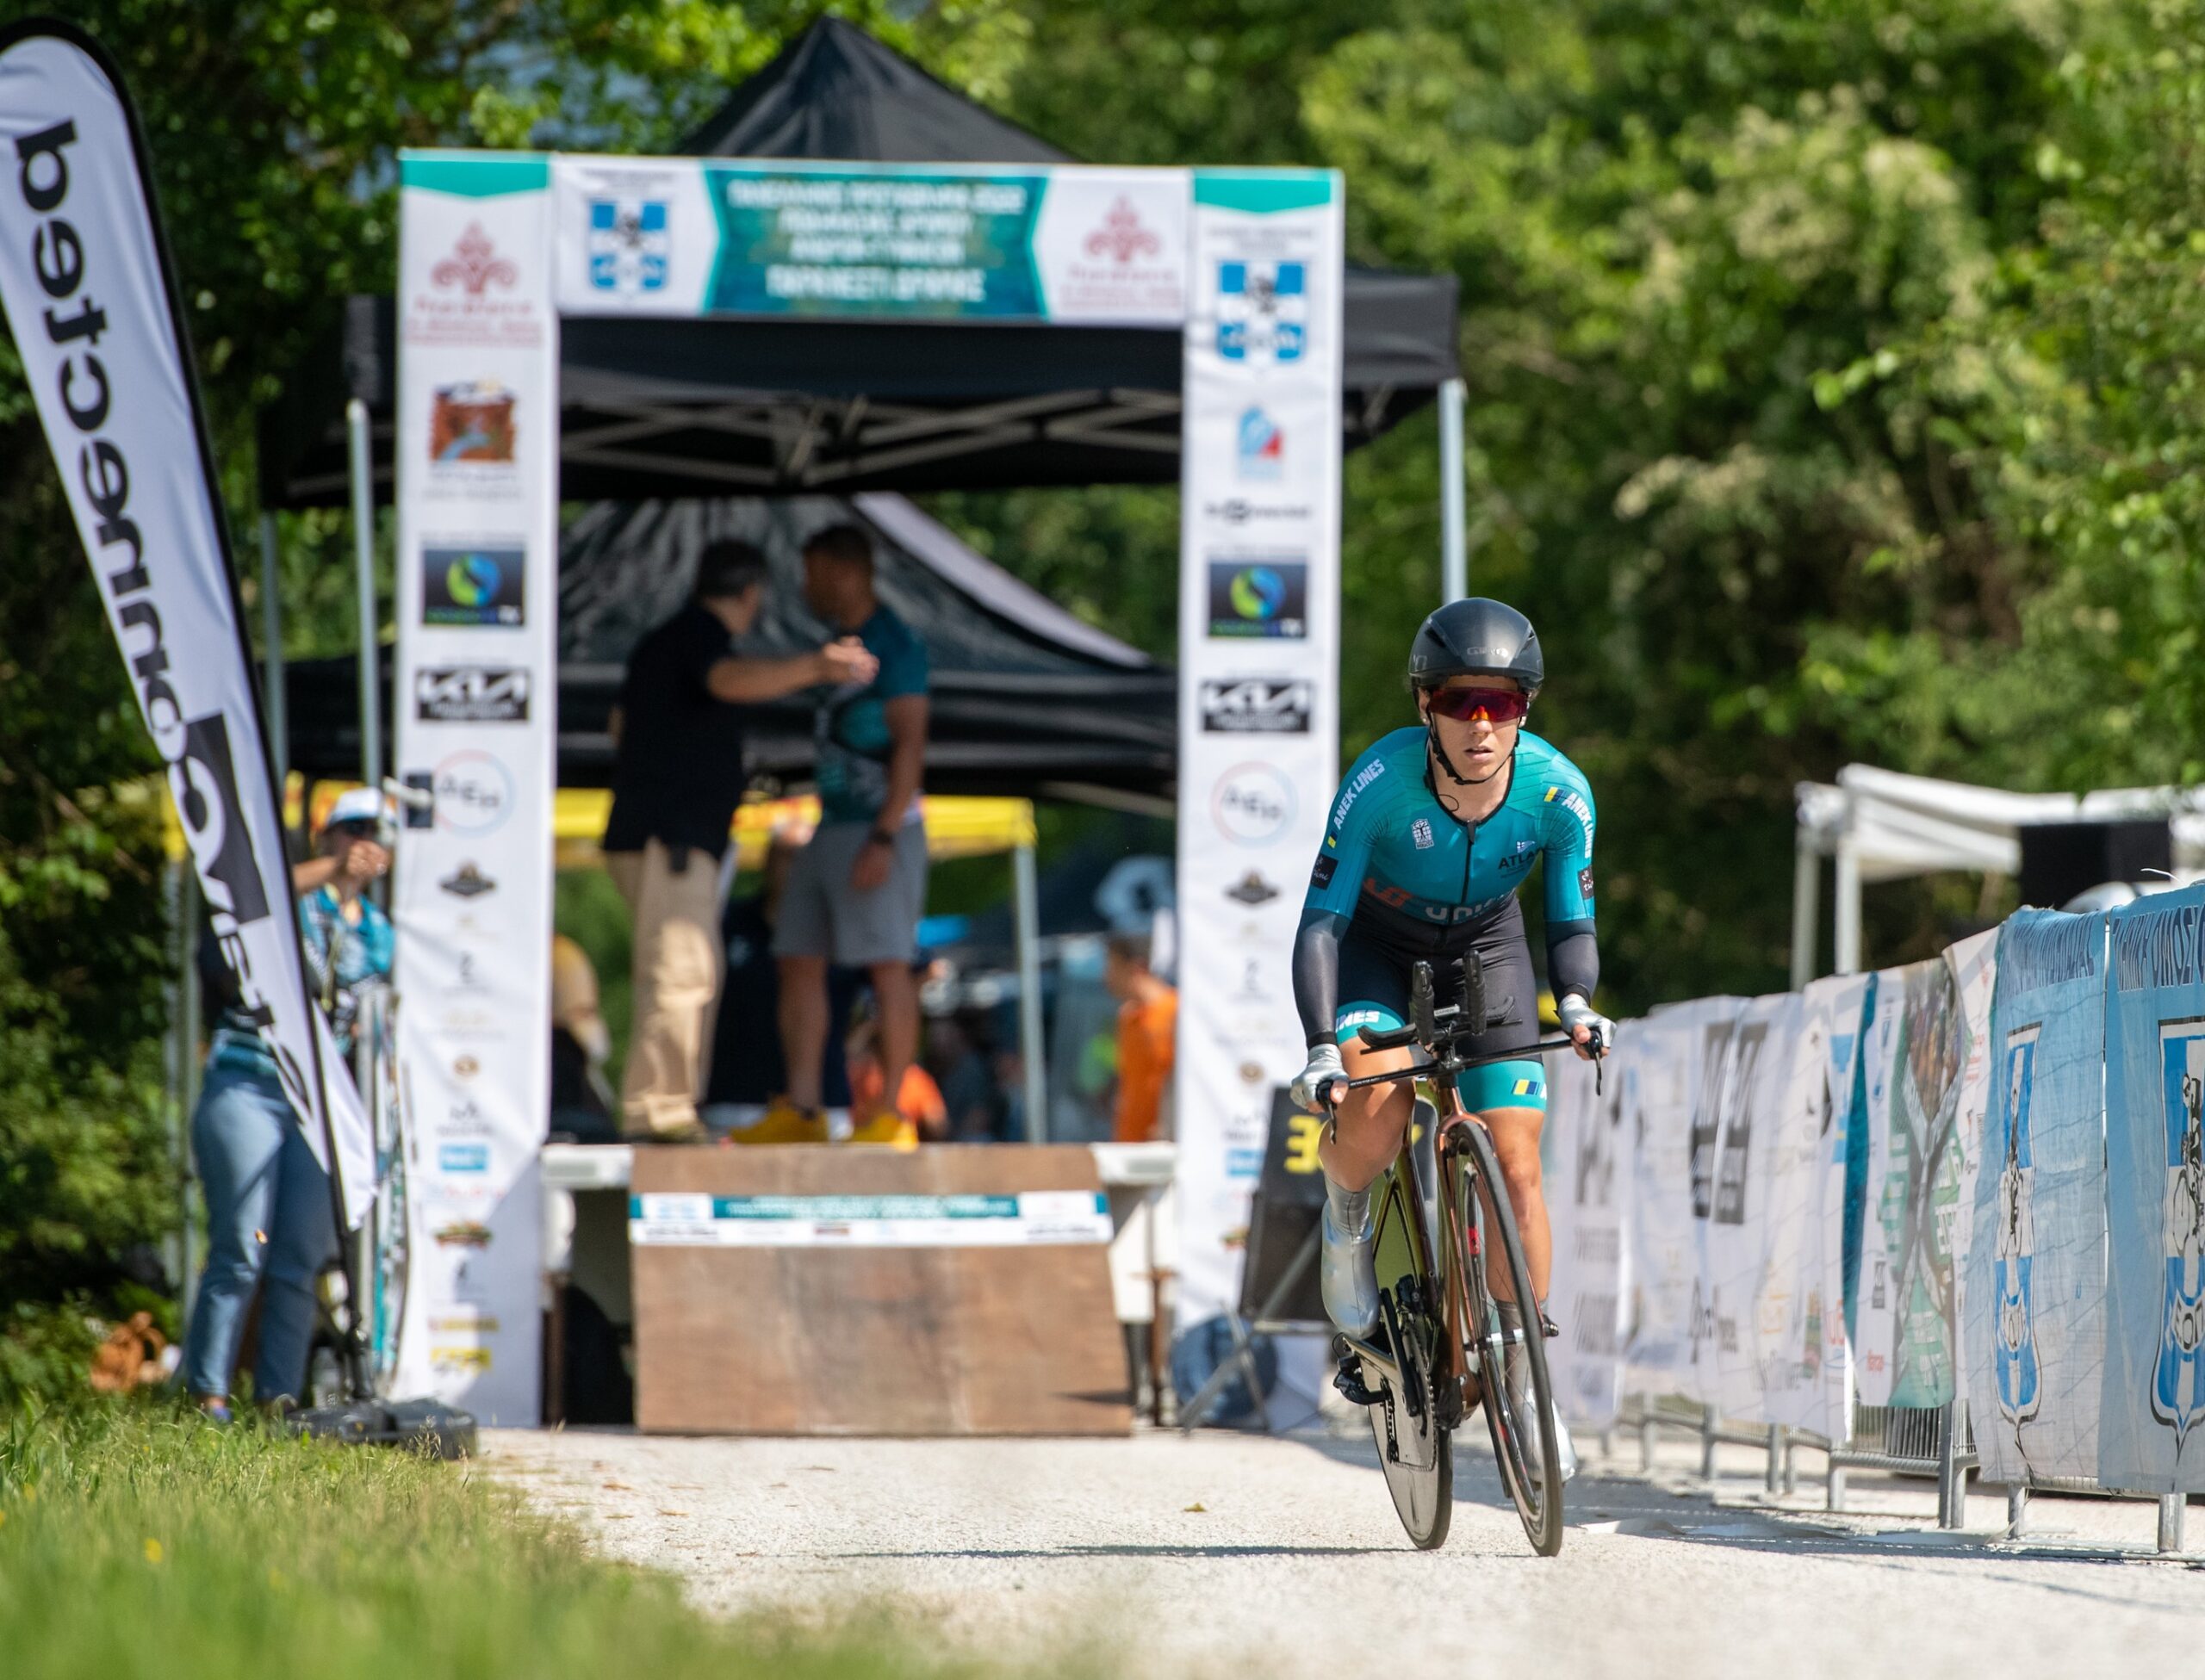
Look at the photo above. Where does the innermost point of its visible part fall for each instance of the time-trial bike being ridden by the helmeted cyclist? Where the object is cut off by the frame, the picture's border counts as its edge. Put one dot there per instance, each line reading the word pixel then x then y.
pixel 1443 1339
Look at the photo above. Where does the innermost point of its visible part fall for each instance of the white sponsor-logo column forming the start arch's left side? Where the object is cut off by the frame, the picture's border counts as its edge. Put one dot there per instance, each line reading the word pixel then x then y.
pixel 475 698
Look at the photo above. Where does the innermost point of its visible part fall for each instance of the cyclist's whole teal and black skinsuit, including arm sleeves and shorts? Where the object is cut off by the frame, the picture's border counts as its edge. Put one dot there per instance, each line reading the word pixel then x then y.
pixel 1401 881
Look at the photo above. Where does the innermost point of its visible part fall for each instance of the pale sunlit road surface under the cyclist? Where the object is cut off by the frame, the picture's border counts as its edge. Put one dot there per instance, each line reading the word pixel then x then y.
pixel 1282 1558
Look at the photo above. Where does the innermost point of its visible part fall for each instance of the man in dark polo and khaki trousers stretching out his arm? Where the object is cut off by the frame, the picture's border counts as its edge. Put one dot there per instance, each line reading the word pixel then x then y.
pixel 676 786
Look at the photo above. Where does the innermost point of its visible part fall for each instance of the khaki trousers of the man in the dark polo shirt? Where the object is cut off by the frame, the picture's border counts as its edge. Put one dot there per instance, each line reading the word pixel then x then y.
pixel 678 973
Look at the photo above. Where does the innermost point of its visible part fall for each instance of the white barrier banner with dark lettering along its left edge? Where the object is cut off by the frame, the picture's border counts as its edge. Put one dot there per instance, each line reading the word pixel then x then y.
pixel 1761 1106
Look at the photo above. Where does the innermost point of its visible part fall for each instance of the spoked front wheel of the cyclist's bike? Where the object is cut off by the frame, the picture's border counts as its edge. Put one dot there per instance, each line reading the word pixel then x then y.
pixel 1525 1445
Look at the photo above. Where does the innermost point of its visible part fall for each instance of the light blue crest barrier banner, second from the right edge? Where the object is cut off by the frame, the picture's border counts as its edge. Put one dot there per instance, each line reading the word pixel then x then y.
pixel 2034 1282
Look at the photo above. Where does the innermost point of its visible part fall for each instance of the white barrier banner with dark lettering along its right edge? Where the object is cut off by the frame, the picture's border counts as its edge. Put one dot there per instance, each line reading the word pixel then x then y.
pixel 1679 1057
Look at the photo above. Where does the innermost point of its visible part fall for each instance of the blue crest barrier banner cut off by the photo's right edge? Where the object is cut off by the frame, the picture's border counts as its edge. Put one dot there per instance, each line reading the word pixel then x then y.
pixel 2155 1198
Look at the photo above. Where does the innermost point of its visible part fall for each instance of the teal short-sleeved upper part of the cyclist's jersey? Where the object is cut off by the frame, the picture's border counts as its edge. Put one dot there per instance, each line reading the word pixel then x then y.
pixel 1395 861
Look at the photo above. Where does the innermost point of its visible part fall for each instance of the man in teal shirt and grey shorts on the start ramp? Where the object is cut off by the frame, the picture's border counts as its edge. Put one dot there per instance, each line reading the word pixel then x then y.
pixel 859 890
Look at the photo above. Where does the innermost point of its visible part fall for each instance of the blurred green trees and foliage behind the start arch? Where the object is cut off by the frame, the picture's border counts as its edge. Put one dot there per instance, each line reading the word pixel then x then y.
pixel 1833 396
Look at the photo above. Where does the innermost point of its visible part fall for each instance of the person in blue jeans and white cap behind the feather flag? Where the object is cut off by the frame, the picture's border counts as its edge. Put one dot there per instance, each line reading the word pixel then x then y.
pixel 270 1220
